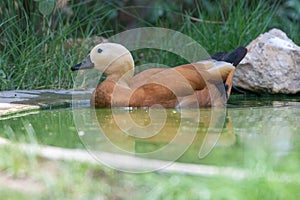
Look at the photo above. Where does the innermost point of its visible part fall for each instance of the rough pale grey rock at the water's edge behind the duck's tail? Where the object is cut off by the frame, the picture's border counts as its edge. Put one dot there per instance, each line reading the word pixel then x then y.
pixel 272 65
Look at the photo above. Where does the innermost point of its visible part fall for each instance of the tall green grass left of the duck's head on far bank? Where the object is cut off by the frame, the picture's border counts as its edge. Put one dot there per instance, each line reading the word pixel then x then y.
pixel 35 52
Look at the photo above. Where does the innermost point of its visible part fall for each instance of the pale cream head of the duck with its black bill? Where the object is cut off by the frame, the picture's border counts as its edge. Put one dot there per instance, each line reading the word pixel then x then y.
pixel 112 59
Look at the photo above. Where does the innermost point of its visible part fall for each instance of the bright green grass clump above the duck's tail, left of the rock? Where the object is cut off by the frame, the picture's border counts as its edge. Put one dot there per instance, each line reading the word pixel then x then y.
pixel 236 24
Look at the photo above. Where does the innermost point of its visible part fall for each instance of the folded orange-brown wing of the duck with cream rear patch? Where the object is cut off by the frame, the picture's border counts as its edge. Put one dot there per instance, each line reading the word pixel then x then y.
pixel 168 85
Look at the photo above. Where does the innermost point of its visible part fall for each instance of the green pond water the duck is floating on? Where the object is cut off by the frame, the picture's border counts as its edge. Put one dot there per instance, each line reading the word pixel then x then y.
pixel 257 133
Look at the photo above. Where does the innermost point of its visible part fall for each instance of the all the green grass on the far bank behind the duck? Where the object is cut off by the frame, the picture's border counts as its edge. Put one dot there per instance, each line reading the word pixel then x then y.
pixel 36 51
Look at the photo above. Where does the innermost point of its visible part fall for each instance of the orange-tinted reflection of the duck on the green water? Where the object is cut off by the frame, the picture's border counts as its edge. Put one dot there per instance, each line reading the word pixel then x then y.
pixel 148 130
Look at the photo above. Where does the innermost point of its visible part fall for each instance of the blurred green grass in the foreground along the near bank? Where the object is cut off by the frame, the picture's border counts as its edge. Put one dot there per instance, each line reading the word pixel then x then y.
pixel 44 179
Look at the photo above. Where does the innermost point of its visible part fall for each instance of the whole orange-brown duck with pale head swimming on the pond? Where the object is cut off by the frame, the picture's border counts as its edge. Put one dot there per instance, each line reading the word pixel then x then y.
pixel 204 83
